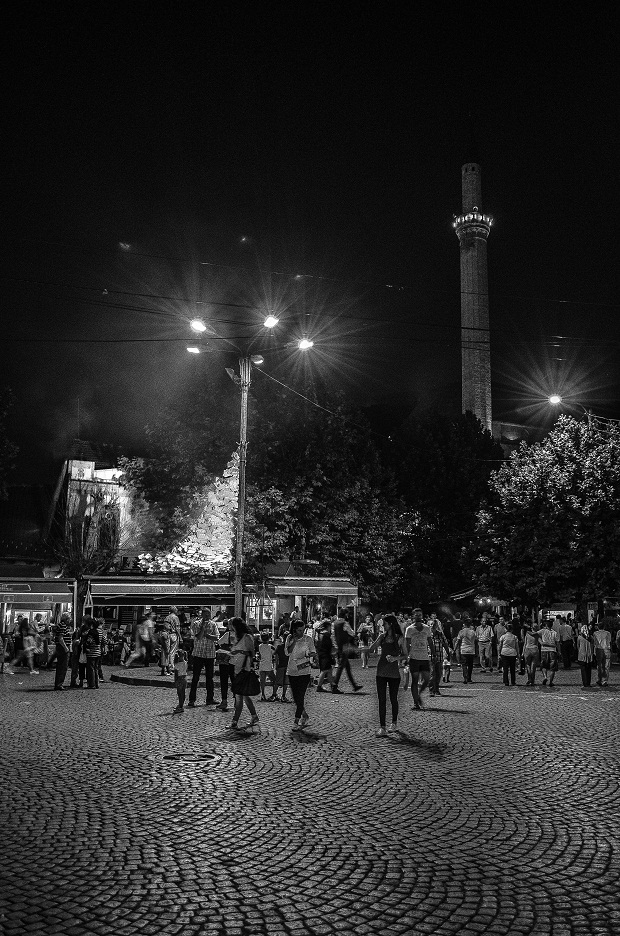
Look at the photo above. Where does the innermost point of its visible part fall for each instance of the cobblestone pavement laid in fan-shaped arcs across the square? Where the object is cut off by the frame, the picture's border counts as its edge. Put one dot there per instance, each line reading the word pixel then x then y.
pixel 492 812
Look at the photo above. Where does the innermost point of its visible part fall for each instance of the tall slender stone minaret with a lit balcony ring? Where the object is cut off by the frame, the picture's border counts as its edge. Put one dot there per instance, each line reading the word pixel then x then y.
pixel 472 228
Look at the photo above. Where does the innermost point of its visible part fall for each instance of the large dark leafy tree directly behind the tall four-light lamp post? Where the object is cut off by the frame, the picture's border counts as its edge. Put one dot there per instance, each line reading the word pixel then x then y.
pixel 316 486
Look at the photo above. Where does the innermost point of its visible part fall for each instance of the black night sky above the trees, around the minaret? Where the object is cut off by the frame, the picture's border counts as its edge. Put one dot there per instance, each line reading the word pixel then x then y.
pixel 169 160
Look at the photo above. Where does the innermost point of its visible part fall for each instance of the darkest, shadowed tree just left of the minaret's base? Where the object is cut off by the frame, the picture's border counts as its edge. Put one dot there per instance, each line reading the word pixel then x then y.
pixel 443 464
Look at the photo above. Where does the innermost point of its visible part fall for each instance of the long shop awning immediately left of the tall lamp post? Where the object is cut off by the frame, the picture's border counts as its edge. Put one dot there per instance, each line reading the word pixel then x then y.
pixel 126 594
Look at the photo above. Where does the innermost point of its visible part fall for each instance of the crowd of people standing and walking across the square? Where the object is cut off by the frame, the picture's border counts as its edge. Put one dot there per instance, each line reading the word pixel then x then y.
pixel 413 652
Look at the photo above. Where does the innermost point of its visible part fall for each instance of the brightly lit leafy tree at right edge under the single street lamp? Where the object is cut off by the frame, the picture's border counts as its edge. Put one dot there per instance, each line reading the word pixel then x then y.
pixel 551 530
